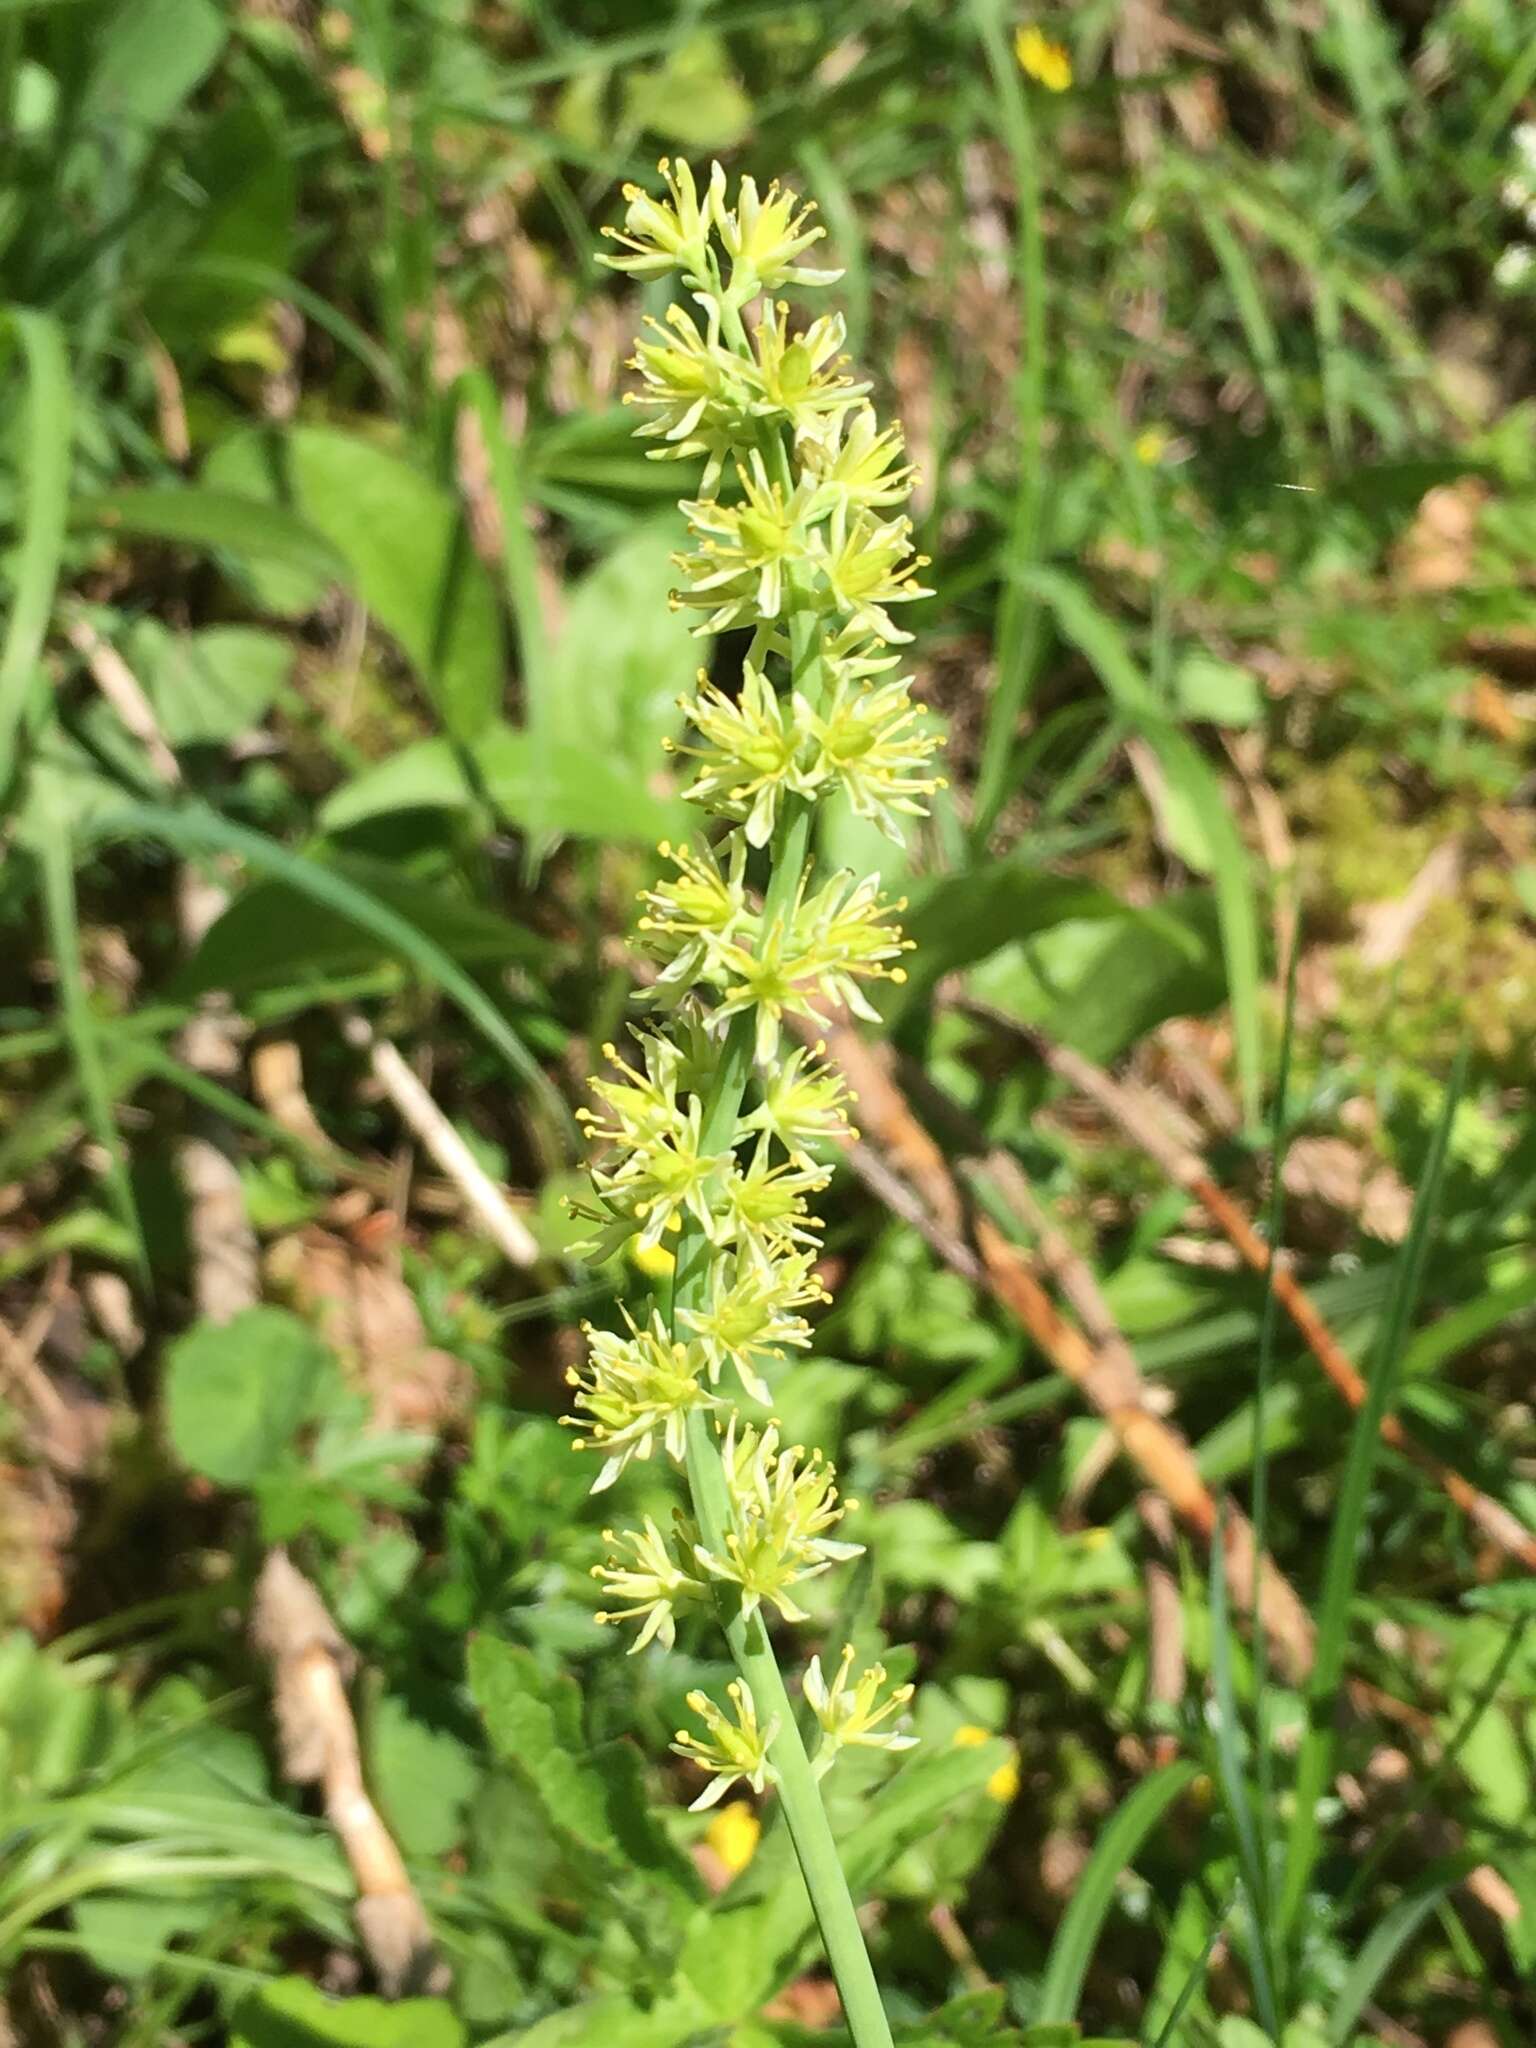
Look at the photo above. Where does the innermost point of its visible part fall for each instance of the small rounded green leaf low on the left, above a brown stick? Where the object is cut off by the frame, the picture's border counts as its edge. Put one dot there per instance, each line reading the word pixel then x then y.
pixel 237 1394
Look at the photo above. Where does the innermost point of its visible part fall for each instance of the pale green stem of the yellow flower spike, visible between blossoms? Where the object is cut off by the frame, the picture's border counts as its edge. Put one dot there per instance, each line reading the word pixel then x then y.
pixel 712 1502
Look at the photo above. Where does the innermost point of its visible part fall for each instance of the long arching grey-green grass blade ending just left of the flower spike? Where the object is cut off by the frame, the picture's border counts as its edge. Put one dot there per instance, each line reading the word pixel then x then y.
pixel 198 830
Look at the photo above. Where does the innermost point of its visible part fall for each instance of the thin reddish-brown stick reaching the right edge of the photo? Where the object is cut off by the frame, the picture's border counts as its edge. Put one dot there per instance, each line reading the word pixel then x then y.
pixel 1140 1121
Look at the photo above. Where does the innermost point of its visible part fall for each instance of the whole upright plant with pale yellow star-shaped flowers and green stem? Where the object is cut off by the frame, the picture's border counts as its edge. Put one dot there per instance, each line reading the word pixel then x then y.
pixel 714 1136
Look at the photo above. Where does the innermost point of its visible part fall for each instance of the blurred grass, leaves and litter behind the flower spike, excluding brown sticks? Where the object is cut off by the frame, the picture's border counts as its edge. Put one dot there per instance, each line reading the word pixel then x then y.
pixel 335 689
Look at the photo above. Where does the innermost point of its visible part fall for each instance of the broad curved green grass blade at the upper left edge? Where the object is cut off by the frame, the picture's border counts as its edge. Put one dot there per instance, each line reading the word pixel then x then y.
pixel 44 509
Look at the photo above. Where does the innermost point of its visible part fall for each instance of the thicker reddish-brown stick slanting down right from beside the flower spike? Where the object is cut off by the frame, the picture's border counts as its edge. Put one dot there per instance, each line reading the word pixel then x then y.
pixel 1113 1385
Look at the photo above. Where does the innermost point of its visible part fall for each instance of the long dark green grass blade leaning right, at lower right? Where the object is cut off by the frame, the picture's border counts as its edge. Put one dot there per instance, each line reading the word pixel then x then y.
pixel 1342 1568
